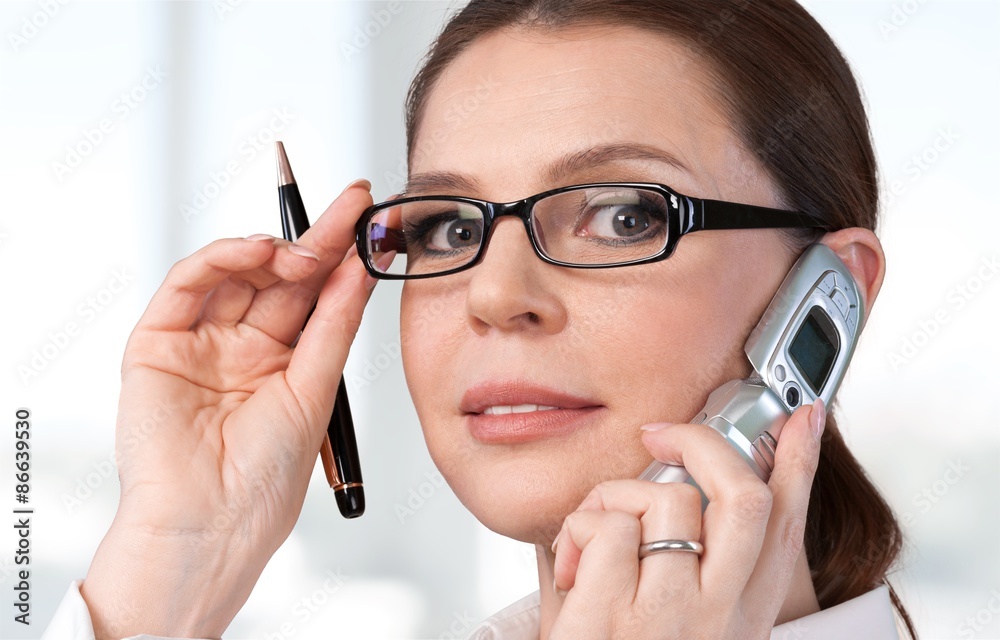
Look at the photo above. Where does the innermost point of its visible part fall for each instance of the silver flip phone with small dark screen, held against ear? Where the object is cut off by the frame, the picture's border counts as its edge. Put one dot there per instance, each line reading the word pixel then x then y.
pixel 799 350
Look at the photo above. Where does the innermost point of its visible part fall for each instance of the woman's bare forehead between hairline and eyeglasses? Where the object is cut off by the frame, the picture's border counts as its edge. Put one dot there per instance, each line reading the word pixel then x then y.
pixel 518 100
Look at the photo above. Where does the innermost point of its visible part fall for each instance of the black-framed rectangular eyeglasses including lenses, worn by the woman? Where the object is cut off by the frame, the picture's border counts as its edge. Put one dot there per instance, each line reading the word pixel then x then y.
pixel 587 226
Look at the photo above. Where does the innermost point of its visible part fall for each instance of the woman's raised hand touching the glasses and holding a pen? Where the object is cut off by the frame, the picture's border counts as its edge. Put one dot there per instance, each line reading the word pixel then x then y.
pixel 220 421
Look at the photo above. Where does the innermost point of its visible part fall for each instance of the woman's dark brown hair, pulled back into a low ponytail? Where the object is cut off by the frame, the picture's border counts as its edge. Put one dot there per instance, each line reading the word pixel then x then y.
pixel 794 103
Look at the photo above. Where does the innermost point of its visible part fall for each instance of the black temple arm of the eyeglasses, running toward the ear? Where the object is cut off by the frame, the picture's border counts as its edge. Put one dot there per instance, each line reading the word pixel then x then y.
pixel 698 214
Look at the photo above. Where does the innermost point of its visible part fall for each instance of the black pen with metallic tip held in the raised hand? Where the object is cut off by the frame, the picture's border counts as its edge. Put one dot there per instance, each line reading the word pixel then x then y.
pixel 339 450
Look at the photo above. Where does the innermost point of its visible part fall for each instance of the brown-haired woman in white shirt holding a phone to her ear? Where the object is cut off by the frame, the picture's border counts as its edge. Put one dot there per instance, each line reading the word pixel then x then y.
pixel 542 389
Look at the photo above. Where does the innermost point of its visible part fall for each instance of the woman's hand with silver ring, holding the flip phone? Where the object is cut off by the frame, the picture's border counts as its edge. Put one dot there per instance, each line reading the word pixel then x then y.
pixel 752 534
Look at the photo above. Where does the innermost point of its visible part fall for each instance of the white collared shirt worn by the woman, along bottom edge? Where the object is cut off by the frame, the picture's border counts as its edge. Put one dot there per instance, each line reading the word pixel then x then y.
pixel 869 616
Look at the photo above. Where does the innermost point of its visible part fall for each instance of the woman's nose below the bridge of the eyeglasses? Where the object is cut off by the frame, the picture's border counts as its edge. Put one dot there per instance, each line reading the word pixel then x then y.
pixel 511 289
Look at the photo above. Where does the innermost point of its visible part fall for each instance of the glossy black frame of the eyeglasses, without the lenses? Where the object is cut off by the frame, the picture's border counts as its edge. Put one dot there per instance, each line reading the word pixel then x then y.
pixel 685 214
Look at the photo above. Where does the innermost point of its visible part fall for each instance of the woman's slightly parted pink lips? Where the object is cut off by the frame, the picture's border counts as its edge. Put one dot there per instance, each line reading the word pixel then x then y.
pixel 513 411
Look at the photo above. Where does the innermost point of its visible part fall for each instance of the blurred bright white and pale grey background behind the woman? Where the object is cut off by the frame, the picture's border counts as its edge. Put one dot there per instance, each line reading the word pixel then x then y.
pixel 133 133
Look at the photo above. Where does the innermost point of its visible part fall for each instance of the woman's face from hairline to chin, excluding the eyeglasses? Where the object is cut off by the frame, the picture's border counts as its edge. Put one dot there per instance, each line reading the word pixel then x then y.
pixel 520 112
